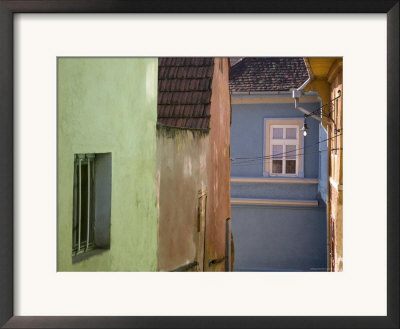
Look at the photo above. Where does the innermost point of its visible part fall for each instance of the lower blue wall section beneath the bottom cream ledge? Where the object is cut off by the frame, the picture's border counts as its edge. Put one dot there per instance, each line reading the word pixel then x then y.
pixel 279 239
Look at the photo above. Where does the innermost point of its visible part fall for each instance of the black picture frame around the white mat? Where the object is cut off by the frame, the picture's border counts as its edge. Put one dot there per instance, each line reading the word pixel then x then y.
pixel 9 7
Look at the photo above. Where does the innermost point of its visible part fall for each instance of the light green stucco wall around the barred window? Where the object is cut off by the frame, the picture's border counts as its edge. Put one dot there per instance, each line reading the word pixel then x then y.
pixel 110 105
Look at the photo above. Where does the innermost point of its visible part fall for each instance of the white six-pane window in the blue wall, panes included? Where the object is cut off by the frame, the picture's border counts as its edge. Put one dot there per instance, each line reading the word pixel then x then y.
pixel 284 144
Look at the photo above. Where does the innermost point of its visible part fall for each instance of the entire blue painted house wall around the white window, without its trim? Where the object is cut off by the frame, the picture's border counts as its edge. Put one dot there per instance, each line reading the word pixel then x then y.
pixel 272 238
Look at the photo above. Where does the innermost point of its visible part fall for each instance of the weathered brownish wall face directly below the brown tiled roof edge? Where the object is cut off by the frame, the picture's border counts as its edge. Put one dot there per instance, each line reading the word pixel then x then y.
pixel 181 175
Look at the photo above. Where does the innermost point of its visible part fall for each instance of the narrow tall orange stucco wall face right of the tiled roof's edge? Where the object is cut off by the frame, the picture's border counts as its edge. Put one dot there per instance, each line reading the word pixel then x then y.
pixel 218 201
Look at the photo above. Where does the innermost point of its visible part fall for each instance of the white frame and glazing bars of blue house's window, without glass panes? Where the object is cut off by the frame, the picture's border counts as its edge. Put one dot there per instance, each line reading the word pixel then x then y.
pixel 284 142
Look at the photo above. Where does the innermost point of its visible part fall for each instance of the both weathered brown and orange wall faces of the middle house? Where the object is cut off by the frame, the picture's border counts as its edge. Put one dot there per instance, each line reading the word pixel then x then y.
pixel 192 165
